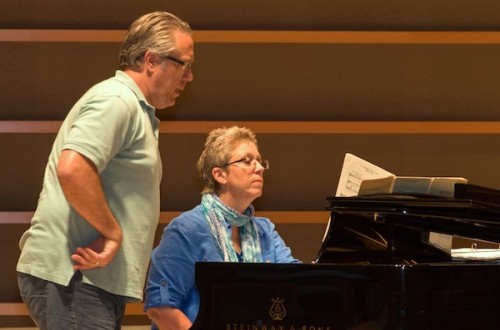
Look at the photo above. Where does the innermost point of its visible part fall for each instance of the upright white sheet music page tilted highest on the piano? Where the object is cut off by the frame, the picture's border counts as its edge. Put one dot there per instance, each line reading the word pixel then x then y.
pixel 354 171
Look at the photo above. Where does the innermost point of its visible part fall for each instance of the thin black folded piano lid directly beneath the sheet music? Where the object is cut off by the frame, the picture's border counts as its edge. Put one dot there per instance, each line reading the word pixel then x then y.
pixel 457 217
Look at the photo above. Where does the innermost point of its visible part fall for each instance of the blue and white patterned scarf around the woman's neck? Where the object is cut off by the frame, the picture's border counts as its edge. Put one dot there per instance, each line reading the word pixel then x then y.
pixel 215 212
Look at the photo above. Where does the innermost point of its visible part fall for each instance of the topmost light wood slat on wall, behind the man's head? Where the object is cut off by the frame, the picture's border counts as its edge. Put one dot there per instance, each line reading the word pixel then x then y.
pixel 276 37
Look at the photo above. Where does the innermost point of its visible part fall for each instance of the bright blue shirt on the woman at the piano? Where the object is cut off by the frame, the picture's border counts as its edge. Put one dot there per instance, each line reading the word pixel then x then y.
pixel 187 240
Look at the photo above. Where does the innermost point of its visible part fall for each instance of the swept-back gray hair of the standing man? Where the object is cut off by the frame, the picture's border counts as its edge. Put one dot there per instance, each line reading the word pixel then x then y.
pixel 154 32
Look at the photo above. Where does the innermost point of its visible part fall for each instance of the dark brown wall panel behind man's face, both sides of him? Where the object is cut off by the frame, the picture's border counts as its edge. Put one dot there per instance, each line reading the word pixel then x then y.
pixel 326 82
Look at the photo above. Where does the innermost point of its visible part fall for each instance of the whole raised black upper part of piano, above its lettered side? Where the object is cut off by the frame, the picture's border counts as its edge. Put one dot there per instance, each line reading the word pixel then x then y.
pixel 395 228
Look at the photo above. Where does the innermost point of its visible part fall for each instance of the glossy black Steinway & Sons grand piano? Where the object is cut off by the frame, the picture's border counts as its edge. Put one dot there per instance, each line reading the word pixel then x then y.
pixel 376 269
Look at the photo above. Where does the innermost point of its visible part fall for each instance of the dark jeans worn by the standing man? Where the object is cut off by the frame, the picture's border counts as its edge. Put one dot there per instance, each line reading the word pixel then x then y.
pixel 77 306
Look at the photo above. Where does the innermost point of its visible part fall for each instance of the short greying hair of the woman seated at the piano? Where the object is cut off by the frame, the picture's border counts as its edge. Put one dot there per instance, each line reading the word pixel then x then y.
pixel 219 146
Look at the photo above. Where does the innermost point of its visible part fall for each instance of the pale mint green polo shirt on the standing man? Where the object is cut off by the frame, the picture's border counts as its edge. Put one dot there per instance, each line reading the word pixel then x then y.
pixel 114 126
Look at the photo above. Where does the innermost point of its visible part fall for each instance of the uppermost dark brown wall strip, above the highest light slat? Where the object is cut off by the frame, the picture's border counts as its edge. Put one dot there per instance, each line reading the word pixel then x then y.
pixel 260 14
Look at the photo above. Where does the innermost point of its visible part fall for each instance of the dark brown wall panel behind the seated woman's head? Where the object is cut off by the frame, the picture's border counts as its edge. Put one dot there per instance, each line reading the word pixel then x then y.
pixel 304 167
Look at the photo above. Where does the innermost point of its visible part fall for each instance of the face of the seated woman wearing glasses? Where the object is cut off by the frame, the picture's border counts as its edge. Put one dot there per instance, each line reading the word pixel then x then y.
pixel 245 178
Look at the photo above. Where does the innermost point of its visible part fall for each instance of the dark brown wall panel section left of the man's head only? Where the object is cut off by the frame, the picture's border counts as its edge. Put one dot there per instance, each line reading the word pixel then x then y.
pixel 42 81
